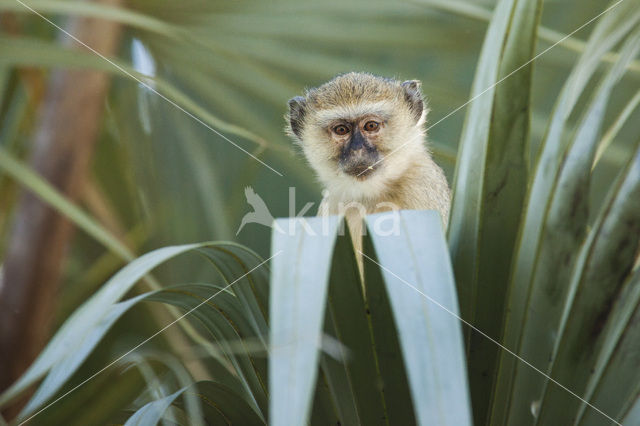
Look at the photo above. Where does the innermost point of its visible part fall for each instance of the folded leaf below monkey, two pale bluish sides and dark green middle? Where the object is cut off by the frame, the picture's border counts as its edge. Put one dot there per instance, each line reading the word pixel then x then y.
pixel 363 381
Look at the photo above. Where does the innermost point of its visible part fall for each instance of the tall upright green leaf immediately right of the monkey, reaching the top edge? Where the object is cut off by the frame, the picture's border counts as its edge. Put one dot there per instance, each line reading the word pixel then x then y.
pixel 489 199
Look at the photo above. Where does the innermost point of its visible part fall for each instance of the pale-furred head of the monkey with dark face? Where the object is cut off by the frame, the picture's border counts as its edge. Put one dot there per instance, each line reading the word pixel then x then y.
pixel 350 126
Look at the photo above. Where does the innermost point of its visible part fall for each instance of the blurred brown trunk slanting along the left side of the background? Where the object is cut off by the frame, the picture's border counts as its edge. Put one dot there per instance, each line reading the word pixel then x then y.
pixel 65 135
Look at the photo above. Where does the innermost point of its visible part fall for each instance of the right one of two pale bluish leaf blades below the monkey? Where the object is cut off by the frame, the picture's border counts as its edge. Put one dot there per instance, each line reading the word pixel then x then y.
pixel 421 288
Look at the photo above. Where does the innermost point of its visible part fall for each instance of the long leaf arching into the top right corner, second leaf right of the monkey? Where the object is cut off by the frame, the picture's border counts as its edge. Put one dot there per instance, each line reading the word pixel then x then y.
pixel 550 218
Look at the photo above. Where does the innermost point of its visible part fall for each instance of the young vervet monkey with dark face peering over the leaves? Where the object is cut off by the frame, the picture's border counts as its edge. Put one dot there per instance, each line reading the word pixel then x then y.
pixel 364 137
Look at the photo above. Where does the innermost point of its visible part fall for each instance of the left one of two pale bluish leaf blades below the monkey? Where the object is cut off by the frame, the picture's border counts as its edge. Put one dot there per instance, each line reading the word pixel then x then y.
pixel 297 305
